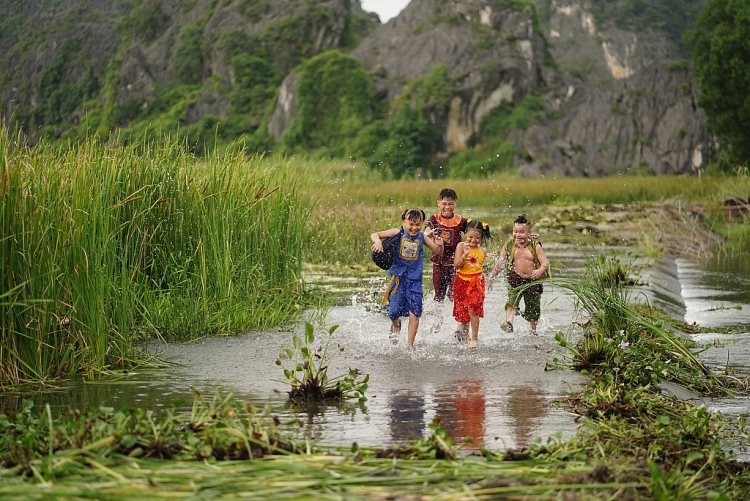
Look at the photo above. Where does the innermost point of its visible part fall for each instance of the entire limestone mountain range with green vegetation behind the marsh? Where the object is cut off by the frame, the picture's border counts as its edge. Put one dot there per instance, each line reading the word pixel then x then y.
pixel 568 87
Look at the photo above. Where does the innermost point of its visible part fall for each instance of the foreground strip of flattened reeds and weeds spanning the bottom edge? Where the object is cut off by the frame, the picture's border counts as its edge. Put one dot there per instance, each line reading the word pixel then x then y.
pixel 116 453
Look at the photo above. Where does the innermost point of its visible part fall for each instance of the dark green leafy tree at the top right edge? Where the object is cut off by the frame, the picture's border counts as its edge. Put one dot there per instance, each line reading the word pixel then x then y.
pixel 721 57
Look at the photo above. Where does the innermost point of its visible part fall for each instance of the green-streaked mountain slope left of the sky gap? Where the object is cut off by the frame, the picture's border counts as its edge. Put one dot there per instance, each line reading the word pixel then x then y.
pixel 72 66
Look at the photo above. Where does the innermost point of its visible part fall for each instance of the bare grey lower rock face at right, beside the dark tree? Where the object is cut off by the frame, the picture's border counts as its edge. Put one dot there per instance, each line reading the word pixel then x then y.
pixel 646 123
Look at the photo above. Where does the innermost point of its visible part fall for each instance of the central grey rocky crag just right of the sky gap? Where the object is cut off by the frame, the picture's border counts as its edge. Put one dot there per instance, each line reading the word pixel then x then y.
pixel 492 55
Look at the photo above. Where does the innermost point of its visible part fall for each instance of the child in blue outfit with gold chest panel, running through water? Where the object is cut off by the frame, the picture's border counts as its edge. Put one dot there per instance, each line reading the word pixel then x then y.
pixel 404 291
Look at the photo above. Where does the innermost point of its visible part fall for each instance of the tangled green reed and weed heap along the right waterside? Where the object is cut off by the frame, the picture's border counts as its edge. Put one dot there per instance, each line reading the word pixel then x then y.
pixel 630 426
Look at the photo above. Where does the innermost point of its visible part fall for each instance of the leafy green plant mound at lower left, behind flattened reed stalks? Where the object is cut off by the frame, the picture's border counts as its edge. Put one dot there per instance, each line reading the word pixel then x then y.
pixel 32 443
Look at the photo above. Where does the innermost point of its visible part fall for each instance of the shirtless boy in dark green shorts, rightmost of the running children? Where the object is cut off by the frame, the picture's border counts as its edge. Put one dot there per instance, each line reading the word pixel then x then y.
pixel 524 262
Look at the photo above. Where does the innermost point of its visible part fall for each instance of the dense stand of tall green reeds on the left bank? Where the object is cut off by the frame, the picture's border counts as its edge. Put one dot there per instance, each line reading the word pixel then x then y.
pixel 103 244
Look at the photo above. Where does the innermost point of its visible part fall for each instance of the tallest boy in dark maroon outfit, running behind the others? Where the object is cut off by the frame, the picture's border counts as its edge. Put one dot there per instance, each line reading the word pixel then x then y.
pixel 449 226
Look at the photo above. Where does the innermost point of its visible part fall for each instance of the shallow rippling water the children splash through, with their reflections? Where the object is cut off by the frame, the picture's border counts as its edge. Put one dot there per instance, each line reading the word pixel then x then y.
pixel 499 395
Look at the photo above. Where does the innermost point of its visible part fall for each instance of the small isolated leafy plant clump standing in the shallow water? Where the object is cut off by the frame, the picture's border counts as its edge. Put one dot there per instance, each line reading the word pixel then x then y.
pixel 307 370
